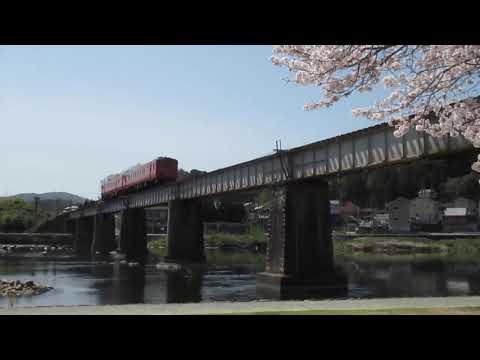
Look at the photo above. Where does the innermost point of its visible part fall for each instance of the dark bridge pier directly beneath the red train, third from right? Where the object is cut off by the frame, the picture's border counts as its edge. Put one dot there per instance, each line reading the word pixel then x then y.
pixel 133 234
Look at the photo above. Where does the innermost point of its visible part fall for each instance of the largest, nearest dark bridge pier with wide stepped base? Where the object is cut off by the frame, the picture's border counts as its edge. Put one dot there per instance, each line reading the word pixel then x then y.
pixel 299 261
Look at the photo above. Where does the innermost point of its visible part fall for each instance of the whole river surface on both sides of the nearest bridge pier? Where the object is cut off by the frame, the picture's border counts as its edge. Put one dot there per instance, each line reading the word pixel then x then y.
pixel 230 276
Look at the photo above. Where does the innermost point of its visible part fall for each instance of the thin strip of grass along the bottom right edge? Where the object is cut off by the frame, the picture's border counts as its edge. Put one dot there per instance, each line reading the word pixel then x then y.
pixel 411 311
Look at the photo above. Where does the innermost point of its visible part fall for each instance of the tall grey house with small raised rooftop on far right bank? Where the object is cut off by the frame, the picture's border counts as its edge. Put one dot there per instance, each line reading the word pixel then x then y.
pixel 425 211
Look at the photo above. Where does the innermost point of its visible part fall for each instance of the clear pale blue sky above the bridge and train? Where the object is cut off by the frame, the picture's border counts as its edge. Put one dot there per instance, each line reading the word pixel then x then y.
pixel 70 115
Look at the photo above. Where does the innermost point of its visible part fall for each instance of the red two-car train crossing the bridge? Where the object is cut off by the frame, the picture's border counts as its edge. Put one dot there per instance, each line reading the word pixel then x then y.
pixel 159 170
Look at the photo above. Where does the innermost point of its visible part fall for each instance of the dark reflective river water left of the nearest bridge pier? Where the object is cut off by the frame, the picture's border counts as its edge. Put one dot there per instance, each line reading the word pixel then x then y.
pixel 82 282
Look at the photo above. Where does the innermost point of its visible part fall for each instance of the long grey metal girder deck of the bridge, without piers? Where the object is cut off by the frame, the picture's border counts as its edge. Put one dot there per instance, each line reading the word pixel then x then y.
pixel 365 148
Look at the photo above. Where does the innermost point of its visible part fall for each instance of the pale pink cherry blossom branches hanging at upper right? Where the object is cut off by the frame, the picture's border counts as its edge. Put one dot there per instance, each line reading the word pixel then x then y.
pixel 438 84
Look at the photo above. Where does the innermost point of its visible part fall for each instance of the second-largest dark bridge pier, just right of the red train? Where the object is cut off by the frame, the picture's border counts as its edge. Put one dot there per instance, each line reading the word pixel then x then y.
pixel 185 231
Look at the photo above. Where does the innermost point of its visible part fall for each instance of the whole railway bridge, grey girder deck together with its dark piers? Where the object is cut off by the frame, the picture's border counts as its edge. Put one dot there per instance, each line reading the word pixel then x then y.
pixel 300 253
